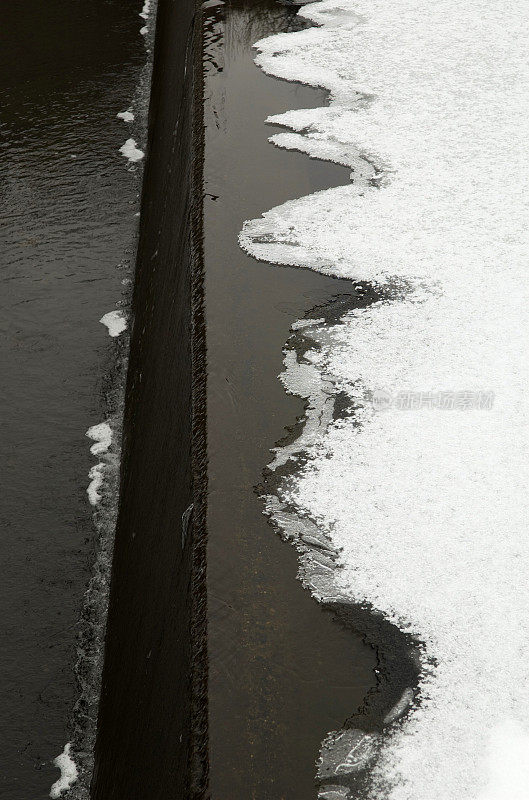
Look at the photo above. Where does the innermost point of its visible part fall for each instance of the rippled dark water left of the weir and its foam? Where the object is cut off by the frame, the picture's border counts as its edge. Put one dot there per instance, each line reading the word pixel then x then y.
pixel 67 205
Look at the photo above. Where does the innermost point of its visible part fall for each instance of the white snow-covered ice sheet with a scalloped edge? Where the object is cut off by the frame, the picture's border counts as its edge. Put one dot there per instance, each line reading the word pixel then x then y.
pixel 423 495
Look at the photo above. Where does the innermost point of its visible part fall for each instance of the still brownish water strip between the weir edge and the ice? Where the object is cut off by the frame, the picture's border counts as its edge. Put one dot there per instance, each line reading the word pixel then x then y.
pixel 282 673
